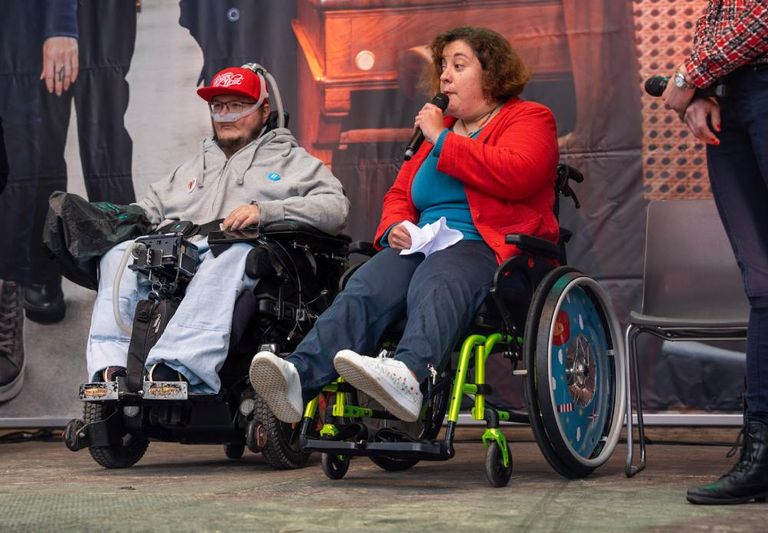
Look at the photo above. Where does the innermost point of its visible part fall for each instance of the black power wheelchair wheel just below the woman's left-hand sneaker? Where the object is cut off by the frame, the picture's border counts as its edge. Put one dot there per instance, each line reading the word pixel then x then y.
pixel 281 448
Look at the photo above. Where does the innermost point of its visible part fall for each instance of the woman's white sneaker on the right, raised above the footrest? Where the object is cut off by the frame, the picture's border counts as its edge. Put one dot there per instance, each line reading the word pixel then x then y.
pixel 386 380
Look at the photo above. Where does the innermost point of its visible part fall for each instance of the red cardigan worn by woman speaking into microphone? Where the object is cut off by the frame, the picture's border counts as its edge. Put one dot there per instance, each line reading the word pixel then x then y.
pixel 508 173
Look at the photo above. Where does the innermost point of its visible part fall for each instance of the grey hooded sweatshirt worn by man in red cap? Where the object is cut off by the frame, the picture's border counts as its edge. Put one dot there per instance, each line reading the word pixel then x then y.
pixel 272 171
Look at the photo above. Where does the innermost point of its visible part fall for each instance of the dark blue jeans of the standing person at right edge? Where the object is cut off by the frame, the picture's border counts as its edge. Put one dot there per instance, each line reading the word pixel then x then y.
pixel 738 173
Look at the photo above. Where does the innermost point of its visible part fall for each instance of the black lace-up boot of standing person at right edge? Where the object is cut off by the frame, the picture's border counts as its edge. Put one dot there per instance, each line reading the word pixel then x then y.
pixel 747 480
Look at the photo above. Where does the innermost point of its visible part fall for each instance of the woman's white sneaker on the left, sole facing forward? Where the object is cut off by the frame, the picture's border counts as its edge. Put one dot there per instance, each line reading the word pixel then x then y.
pixel 277 382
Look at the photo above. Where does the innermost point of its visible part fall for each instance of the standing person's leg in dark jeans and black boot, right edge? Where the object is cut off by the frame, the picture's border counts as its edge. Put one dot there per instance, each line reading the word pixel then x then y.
pixel 738 171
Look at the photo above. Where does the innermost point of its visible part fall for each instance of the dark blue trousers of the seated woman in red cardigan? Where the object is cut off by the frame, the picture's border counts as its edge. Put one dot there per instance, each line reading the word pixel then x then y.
pixel 439 294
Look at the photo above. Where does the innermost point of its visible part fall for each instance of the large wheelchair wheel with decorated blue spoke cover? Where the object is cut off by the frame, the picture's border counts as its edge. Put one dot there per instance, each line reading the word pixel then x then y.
pixel 575 382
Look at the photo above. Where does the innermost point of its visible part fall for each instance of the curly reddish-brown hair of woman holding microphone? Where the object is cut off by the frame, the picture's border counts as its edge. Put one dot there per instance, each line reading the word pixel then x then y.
pixel 504 72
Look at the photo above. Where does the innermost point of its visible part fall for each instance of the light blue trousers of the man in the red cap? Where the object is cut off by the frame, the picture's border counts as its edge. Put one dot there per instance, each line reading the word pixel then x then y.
pixel 196 340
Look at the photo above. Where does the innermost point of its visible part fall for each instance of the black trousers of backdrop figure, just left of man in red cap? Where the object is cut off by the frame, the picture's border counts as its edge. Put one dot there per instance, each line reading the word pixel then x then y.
pixel 100 94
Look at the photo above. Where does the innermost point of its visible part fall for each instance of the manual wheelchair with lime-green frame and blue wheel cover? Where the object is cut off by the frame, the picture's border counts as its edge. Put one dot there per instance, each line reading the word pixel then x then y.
pixel 556 327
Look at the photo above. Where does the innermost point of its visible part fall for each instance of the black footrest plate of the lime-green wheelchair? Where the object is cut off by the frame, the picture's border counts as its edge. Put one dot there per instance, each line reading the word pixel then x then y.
pixel 423 450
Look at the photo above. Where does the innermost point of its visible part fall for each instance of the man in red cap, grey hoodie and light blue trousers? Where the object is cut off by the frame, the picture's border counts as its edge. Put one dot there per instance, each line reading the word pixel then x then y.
pixel 246 174
